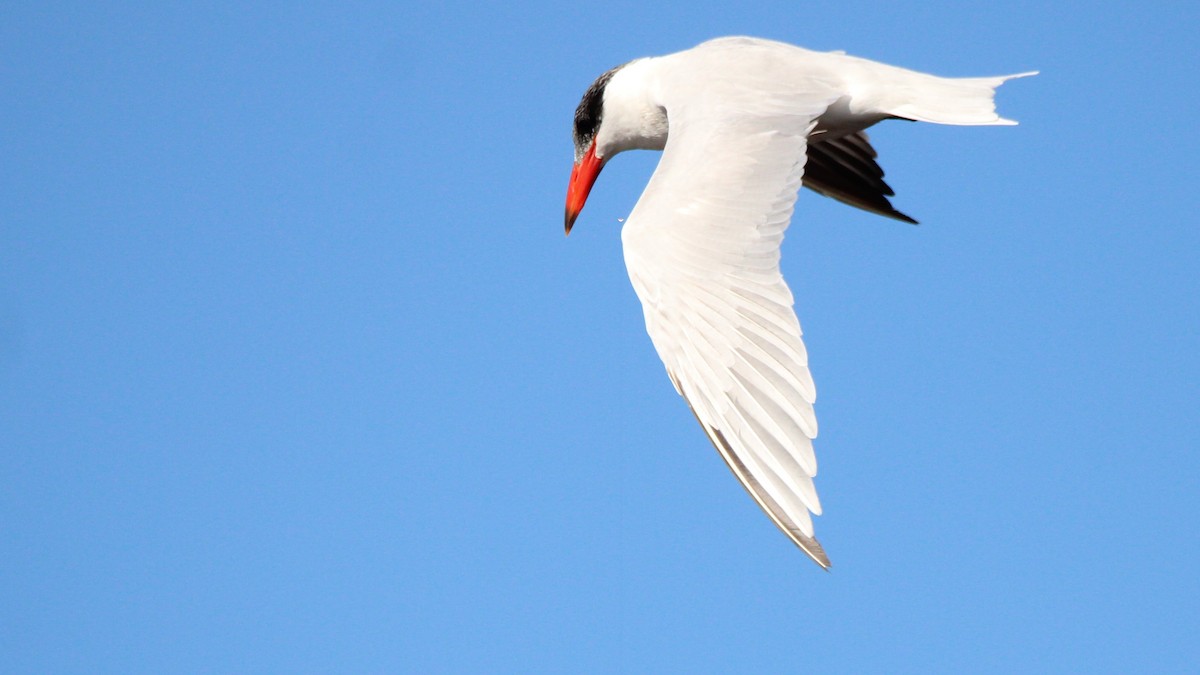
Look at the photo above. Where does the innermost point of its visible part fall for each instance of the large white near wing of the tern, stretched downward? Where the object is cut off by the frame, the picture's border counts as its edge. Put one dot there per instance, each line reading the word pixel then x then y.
pixel 703 252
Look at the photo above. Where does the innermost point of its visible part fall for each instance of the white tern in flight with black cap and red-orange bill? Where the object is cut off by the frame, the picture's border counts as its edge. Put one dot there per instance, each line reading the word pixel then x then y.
pixel 743 124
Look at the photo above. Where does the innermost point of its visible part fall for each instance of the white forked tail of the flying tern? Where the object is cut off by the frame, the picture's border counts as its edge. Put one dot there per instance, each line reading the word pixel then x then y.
pixel 941 100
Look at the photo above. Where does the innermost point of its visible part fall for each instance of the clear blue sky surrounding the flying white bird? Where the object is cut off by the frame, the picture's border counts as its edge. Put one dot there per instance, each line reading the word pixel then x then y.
pixel 298 372
